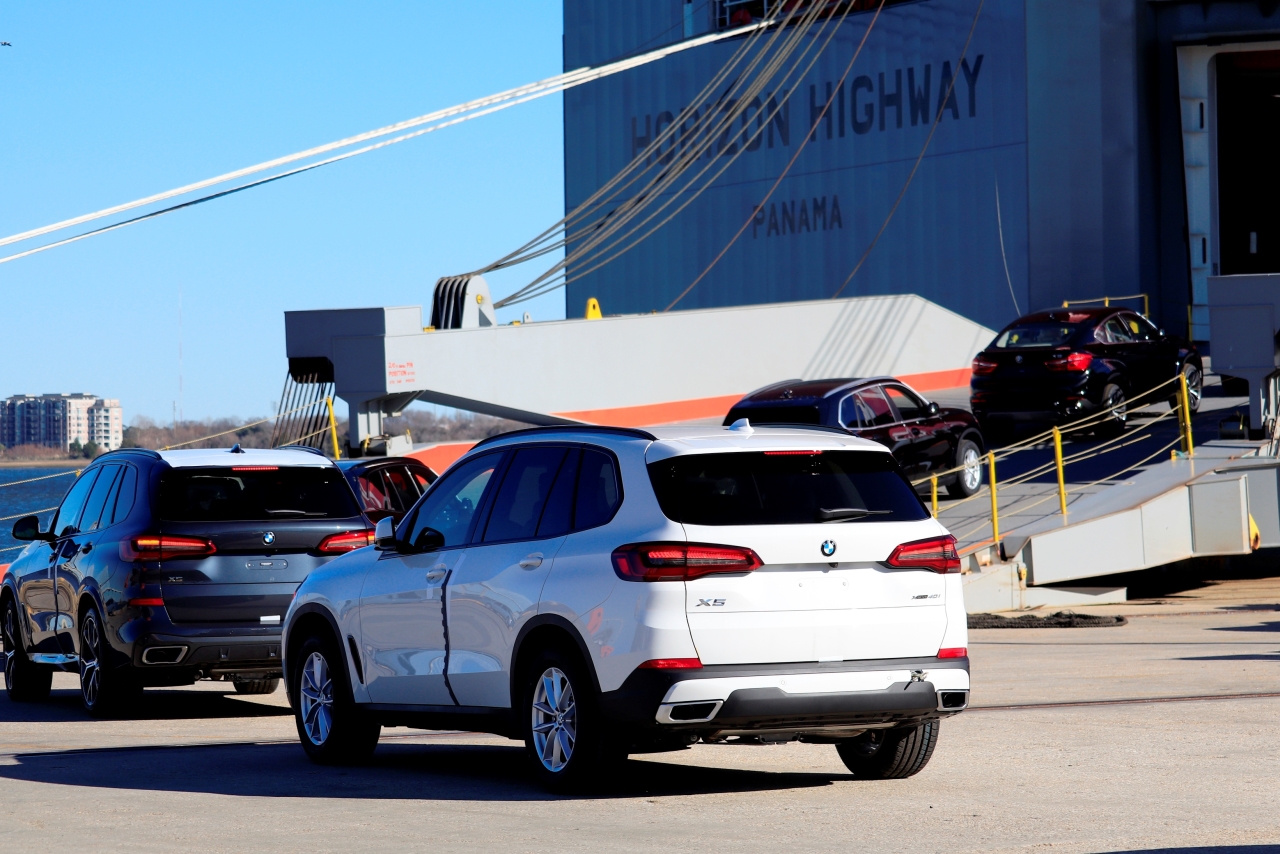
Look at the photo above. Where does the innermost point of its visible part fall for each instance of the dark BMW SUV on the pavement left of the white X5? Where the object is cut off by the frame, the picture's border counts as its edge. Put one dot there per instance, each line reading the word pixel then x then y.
pixel 161 569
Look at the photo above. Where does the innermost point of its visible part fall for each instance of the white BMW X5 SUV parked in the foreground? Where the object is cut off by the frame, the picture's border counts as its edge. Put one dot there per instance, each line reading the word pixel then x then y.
pixel 597 592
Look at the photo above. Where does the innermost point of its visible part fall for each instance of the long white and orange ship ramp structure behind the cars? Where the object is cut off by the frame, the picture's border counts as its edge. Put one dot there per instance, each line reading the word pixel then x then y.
pixel 624 371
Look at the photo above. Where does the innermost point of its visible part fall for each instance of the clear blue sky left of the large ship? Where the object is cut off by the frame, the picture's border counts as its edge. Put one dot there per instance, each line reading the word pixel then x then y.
pixel 107 103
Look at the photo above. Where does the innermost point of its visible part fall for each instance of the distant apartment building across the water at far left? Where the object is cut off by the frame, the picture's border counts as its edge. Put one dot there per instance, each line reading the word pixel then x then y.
pixel 62 421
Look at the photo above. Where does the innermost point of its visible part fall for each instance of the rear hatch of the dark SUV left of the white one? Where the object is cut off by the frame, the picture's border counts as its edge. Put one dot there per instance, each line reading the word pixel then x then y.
pixel 267 527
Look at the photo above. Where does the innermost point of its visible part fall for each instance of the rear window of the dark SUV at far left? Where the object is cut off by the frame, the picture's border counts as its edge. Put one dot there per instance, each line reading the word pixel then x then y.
pixel 254 494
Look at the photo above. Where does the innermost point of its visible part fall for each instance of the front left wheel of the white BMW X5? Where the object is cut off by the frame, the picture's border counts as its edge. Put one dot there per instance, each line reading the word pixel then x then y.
pixel 332 728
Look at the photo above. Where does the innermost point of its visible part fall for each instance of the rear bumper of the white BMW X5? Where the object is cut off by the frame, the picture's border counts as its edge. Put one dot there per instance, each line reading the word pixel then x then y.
pixel 808 698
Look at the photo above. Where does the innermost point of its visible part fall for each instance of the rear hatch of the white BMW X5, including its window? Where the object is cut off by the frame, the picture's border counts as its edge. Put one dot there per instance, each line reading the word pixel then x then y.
pixel 824 592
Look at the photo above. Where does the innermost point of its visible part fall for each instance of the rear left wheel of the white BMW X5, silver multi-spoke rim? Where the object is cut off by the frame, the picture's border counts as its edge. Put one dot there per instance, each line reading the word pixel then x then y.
pixel 565 737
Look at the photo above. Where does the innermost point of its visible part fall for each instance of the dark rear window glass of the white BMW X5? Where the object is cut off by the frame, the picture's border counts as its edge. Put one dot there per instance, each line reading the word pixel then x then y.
pixel 764 488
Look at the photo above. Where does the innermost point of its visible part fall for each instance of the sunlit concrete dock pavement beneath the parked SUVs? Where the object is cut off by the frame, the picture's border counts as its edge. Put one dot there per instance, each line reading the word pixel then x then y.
pixel 1080 741
